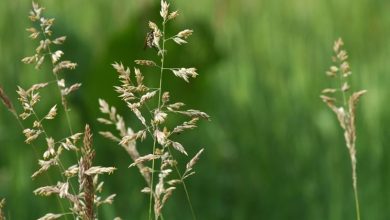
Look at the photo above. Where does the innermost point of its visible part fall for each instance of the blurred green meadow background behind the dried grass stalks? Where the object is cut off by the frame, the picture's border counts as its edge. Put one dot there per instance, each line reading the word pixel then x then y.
pixel 273 150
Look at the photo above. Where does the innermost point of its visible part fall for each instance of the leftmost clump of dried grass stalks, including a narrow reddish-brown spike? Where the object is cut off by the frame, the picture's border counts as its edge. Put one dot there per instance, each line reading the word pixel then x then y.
pixel 83 199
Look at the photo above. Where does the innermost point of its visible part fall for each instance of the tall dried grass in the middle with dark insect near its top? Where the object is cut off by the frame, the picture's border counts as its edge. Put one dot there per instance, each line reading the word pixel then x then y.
pixel 153 107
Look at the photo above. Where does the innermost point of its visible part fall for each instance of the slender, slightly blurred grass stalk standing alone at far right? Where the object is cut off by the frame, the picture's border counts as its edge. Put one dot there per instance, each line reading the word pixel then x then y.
pixel 343 103
